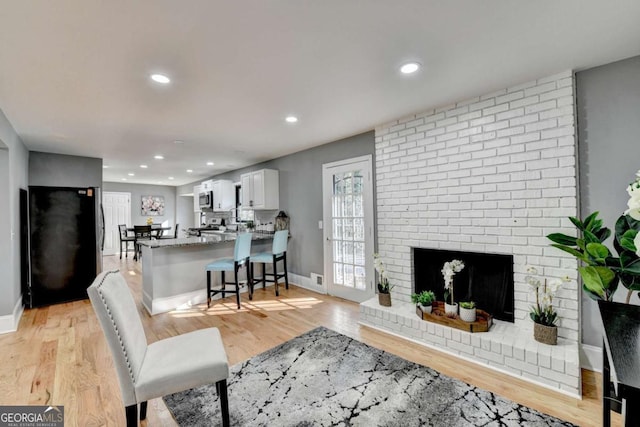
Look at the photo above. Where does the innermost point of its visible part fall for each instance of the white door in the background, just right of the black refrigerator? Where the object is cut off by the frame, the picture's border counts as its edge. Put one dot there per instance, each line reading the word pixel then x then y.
pixel 117 210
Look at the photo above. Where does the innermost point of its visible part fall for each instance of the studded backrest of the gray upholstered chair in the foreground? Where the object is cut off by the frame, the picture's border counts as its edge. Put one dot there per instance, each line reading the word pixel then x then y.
pixel 118 317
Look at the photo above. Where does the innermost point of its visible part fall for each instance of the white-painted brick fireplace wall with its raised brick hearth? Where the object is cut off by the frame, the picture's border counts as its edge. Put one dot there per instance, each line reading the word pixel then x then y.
pixel 492 174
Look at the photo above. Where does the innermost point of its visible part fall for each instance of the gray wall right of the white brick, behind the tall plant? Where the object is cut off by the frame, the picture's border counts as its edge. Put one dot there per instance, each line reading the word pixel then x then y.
pixel 608 102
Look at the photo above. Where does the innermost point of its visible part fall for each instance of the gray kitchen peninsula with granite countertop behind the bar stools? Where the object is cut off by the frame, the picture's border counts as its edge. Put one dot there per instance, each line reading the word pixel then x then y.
pixel 173 270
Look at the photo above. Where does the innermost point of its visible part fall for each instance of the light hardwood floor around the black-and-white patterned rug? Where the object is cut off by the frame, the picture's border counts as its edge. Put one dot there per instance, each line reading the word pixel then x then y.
pixel 59 356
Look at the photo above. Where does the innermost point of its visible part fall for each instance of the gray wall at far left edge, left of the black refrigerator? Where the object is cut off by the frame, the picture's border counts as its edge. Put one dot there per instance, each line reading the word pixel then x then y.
pixel 12 180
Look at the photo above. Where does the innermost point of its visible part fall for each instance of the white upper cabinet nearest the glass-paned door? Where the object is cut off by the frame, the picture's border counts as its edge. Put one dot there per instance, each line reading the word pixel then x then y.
pixel 261 190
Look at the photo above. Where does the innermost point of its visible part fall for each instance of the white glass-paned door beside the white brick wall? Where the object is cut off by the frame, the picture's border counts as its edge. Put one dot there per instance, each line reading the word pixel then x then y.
pixel 348 228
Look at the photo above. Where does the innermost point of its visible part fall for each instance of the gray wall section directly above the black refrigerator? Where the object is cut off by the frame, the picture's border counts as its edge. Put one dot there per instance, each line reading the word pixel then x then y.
pixel 59 170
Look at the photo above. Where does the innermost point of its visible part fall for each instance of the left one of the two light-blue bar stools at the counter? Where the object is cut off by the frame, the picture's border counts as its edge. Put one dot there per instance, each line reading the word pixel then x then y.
pixel 241 255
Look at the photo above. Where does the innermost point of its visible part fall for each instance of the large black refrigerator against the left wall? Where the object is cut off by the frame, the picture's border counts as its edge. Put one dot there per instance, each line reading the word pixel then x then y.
pixel 66 234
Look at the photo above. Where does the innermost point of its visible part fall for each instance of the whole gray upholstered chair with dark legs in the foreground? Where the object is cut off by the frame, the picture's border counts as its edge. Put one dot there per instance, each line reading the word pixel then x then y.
pixel 164 367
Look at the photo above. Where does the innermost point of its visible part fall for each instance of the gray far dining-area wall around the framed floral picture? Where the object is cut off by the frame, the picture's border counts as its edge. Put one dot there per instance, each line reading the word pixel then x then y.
pixel 139 190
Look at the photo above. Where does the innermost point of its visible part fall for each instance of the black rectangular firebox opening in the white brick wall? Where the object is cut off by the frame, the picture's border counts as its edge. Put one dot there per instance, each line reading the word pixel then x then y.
pixel 487 279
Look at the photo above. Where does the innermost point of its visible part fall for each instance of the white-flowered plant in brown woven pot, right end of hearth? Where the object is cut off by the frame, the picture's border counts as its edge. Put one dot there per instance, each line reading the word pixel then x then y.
pixel 543 314
